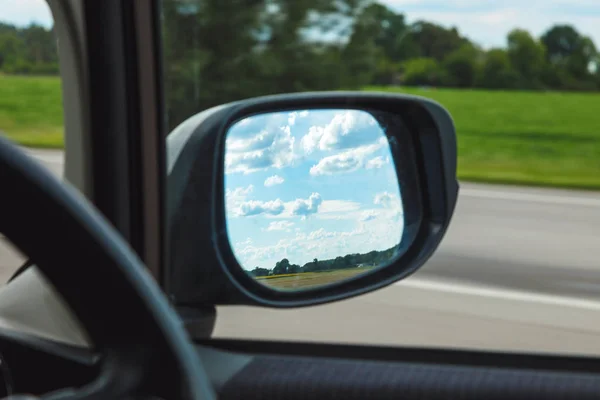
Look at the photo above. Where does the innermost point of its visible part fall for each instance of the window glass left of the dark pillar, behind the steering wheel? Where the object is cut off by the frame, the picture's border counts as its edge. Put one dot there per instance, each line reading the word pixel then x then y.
pixel 31 110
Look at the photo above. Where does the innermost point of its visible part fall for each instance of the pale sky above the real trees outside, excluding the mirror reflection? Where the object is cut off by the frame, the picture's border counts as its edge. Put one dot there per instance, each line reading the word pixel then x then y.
pixel 484 21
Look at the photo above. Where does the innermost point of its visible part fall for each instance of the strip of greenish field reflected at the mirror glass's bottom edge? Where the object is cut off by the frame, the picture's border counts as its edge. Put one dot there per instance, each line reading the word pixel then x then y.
pixel 310 279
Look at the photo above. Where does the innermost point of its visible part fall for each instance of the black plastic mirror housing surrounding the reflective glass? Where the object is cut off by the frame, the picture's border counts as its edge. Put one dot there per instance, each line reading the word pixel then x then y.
pixel 203 270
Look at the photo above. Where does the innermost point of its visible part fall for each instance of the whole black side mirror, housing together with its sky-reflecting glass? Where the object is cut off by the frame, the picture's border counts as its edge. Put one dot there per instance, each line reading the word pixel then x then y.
pixel 295 200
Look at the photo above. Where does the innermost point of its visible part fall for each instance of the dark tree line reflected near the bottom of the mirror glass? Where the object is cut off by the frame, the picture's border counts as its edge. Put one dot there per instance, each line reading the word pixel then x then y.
pixel 371 259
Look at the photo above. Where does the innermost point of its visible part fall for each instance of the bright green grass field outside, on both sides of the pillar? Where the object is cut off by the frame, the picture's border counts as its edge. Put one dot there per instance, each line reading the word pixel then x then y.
pixel 529 138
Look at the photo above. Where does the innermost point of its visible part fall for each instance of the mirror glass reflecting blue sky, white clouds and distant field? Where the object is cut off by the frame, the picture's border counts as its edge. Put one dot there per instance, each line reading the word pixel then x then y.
pixel 312 197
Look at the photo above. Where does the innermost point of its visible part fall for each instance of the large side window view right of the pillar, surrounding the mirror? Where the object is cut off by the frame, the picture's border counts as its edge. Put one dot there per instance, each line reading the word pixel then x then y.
pixel 518 268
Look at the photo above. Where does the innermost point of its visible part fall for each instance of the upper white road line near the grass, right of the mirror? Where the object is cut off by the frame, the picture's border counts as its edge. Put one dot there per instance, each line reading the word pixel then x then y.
pixel 529 197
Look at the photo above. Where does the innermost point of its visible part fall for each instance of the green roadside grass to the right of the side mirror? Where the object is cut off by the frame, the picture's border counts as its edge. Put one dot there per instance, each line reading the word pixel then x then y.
pixel 523 138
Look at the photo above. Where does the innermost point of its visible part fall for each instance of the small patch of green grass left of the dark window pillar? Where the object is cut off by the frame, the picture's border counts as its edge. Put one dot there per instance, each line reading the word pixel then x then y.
pixel 31 110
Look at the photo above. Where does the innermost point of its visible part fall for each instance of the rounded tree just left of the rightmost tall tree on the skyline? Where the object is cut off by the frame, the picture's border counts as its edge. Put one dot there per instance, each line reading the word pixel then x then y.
pixel 527 56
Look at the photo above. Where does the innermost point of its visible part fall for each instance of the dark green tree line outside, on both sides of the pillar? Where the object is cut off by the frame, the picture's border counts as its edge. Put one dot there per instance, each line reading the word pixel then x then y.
pixel 218 51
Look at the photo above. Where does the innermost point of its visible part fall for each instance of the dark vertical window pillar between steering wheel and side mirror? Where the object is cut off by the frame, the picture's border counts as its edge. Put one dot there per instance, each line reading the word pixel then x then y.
pixel 113 108
